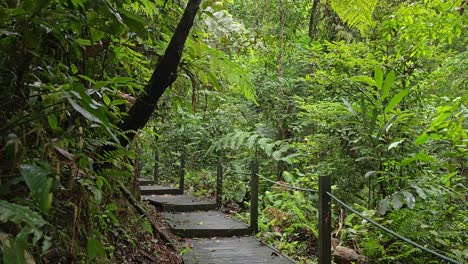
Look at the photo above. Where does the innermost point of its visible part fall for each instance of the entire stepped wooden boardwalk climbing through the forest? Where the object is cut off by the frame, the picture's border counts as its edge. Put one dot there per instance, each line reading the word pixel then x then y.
pixel 210 237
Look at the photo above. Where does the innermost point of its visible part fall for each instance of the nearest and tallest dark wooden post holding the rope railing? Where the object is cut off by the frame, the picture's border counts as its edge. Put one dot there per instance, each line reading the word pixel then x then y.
pixel 324 220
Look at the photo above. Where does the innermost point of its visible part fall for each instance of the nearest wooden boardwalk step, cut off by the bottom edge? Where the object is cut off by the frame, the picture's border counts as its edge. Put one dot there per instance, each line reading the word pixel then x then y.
pixel 233 250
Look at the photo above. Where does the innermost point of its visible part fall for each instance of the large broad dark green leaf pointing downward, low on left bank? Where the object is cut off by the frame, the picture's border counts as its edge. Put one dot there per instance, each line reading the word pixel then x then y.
pixel 39 184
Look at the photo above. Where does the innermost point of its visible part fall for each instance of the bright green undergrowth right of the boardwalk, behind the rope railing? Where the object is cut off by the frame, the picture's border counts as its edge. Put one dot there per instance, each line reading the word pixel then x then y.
pixel 380 107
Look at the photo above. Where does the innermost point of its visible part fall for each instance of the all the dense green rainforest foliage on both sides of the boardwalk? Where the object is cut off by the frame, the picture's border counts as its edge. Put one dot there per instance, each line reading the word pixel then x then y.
pixel 374 97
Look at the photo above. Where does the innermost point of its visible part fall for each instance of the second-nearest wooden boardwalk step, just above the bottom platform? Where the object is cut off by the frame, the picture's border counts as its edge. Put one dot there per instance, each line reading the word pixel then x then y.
pixel 205 224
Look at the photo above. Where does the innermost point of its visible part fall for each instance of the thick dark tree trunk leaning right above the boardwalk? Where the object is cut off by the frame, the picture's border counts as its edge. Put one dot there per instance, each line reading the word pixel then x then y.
pixel 163 76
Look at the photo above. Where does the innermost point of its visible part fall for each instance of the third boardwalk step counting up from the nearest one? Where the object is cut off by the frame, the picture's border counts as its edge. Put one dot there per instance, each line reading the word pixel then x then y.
pixel 180 203
